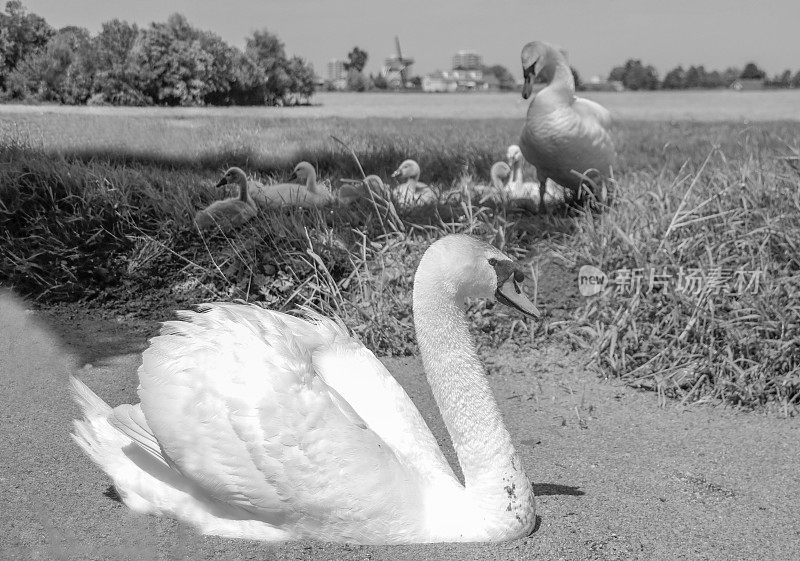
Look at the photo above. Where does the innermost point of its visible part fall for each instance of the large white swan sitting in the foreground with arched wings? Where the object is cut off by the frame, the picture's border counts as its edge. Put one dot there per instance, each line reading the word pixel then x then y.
pixel 258 424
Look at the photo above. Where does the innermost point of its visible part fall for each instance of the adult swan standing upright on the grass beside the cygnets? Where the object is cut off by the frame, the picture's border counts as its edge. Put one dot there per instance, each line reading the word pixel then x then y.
pixel 564 135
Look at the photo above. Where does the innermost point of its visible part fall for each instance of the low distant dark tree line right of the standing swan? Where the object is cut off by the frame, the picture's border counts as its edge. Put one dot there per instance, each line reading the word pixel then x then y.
pixel 635 76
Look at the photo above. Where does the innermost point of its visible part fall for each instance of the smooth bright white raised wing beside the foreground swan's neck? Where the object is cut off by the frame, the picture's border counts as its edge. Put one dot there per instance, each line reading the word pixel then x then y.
pixel 368 387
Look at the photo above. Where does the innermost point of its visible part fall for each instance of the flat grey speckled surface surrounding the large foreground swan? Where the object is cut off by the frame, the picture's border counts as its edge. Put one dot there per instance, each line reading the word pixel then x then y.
pixel 616 476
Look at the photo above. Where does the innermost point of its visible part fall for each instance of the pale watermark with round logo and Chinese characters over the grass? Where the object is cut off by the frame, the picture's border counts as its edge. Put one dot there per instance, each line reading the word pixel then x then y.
pixel 691 281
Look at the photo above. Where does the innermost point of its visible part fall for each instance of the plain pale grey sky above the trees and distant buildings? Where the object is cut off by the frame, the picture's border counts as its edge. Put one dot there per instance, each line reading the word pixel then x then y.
pixel 598 34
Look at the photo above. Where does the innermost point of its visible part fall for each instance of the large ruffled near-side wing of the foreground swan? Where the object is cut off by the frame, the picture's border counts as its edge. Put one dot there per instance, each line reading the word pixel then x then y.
pixel 235 402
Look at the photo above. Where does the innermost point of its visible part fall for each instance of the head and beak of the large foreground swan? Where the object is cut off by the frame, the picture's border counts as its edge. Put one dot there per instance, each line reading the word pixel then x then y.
pixel 468 268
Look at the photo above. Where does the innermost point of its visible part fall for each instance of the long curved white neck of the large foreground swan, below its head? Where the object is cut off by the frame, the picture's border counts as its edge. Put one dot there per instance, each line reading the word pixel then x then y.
pixel 493 473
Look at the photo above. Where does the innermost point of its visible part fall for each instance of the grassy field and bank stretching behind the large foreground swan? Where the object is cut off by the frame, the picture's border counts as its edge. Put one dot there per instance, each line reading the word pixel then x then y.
pixel 96 206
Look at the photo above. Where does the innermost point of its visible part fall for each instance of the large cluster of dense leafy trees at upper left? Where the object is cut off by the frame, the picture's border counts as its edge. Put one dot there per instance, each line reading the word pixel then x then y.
pixel 167 63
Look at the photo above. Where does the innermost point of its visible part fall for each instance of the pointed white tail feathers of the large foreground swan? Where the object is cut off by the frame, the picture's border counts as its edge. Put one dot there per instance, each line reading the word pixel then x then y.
pixel 121 443
